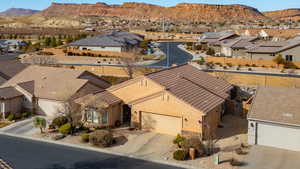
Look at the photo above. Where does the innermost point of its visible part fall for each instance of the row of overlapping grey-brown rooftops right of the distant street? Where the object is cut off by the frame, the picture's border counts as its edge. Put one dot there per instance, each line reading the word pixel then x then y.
pixel 230 39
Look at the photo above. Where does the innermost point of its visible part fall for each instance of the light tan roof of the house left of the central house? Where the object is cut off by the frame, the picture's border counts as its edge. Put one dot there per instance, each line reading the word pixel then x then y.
pixel 49 82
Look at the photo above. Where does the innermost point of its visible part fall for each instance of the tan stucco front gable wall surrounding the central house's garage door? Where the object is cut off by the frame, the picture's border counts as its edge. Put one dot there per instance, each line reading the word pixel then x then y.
pixel 167 104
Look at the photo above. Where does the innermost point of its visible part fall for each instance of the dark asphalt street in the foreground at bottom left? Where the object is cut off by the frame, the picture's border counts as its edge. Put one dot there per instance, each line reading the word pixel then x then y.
pixel 27 154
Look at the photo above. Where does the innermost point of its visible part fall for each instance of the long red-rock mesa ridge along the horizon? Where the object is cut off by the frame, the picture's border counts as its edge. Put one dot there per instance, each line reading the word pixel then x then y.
pixel 143 11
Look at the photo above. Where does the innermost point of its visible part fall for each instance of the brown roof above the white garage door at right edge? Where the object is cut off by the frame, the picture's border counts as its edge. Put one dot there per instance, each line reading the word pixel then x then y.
pixel 276 104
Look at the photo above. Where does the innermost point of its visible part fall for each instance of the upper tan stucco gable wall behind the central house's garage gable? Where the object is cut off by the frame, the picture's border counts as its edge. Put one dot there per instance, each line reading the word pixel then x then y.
pixel 136 89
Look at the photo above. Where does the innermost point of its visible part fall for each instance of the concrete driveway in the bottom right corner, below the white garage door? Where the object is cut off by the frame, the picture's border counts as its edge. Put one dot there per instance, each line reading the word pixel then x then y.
pixel 272 158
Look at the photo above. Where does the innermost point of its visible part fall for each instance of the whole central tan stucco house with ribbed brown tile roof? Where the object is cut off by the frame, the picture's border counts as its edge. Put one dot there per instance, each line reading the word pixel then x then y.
pixel 177 100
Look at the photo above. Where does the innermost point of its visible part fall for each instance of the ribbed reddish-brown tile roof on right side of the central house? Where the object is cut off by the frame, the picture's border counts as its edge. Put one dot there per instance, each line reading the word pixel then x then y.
pixel 193 86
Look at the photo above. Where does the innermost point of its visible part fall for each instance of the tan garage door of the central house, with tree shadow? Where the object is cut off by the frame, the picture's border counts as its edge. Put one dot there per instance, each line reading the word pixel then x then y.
pixel 161 123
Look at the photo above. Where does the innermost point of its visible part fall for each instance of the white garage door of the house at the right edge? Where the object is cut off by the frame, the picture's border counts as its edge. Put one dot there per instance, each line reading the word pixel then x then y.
pixel 278 136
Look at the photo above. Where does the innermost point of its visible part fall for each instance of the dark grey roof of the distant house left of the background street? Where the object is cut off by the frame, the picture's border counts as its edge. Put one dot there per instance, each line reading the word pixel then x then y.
pixel 113 39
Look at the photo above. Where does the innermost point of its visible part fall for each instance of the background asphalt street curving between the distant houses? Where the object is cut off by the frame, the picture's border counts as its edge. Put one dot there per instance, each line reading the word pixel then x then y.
pixel 174 55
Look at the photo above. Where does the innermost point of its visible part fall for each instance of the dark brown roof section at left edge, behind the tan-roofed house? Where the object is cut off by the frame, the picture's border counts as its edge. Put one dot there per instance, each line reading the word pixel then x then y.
pixel 9 68
